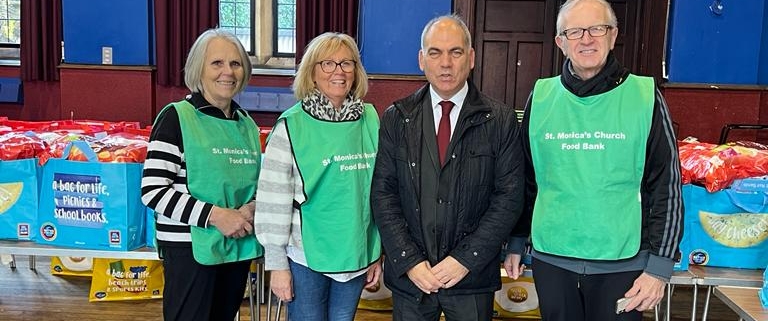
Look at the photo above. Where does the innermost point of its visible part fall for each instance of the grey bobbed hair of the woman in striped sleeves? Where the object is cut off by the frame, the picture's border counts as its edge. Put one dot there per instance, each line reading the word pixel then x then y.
pixel 193 68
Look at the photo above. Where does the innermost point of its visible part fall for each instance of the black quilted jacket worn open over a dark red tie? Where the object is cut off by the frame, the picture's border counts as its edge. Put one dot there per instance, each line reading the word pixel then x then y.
pixel 488 183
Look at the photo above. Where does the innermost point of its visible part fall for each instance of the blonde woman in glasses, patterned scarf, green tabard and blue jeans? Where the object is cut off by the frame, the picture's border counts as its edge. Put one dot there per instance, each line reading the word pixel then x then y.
pixel 312 210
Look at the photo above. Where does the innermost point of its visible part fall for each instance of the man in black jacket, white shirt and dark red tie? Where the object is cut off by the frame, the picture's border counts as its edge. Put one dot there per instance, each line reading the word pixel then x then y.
pixel 447 187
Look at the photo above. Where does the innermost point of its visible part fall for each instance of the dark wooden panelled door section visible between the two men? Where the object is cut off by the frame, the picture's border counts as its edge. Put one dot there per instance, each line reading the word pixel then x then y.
pixel 514 46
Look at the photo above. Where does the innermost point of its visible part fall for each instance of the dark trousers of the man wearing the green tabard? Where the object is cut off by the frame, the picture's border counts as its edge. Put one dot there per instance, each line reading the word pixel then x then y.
pixel 568 296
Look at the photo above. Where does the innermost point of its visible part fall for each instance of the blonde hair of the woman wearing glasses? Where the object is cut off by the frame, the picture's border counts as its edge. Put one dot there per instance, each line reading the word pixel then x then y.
pixel 320 47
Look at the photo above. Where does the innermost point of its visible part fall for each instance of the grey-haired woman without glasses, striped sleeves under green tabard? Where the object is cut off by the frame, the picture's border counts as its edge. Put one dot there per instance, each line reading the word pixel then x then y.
pixel 200 179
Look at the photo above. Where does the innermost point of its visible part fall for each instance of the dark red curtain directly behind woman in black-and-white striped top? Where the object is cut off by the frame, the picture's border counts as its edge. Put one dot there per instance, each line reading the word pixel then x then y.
pixel 177 25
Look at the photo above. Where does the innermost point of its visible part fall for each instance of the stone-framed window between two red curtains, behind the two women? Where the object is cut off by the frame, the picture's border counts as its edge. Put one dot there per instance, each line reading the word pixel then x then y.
pixel 267 29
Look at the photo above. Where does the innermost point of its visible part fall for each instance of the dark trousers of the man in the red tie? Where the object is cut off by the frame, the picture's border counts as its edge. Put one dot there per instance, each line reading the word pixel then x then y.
pixel 466 307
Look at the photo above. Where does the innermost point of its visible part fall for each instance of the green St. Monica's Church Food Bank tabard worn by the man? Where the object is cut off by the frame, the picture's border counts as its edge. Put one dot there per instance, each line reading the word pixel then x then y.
pixel 589 158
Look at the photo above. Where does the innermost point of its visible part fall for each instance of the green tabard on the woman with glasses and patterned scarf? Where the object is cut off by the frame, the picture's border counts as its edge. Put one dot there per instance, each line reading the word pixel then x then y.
pixel 335 161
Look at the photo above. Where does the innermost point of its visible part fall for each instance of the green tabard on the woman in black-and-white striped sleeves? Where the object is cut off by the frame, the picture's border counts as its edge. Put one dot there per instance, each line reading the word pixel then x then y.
pixel 223 161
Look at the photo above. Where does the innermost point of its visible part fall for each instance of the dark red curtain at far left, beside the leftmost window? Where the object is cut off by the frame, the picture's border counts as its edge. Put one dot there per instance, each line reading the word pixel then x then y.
pixel 40 40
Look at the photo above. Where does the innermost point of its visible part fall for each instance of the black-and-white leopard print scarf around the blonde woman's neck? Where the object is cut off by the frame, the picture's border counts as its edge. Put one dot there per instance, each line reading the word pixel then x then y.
pixel 317 105
